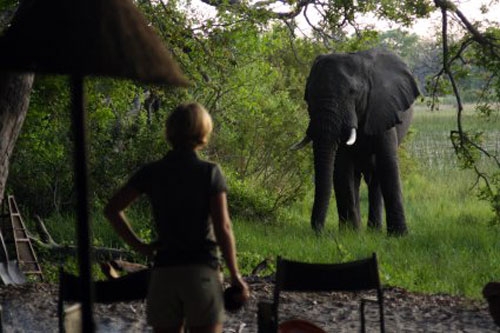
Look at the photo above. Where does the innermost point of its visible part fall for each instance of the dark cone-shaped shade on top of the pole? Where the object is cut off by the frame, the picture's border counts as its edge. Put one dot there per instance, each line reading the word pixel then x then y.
pixel 89 37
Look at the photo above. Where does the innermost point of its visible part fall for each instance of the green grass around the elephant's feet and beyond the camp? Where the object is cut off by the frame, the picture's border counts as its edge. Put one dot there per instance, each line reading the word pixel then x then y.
pixel 451 247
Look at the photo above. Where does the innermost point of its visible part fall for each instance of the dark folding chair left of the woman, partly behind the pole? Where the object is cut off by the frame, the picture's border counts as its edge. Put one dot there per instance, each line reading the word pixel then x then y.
pixel 130 287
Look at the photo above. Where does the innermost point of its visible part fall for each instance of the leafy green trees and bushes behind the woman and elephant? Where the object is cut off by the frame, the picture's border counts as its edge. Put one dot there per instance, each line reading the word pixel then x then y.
pixel 247 62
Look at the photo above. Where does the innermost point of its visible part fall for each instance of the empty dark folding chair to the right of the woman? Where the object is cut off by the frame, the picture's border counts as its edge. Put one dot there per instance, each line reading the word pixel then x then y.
pixel 353 276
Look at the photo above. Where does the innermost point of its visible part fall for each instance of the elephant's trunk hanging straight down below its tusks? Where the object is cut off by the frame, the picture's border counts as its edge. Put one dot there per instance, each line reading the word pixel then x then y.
pixel 324 157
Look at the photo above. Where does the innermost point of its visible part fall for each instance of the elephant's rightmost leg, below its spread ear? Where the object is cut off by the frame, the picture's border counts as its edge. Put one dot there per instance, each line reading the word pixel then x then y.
pixel 390 182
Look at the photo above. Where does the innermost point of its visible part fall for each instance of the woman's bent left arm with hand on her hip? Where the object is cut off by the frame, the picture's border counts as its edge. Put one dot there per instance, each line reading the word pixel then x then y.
pixel 115 213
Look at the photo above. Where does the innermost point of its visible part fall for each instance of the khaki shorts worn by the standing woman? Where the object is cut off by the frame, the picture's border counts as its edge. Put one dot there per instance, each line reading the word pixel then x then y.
pixel 185 294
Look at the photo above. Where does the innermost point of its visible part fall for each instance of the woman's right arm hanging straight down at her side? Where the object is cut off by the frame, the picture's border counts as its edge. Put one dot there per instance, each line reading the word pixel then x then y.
pixel 225 238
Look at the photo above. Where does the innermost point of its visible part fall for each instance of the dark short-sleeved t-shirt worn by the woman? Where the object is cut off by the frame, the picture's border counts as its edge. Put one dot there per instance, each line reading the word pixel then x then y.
pixel 179 187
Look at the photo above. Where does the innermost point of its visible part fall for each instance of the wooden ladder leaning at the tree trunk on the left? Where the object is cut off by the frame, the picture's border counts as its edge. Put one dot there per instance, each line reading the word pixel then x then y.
pixel 16 238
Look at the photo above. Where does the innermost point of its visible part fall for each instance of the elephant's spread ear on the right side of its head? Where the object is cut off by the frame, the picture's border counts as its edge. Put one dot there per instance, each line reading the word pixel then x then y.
pixel 393 90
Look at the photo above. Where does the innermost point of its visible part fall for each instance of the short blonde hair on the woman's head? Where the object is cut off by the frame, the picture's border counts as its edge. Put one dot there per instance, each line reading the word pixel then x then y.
pixel 189 126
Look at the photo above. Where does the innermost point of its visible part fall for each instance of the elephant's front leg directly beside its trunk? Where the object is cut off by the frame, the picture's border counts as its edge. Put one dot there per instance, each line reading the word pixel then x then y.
pixel 346 181
